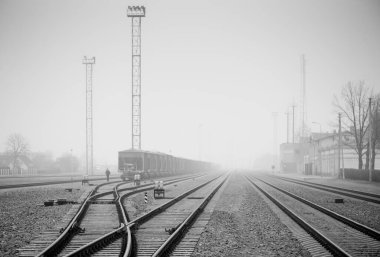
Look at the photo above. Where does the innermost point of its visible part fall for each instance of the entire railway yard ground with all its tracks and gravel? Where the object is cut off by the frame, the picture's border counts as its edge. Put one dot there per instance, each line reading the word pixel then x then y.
pixel 201 214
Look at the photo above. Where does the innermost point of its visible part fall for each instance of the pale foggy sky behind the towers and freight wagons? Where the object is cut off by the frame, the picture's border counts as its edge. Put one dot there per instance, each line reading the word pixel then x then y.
pixel 213 72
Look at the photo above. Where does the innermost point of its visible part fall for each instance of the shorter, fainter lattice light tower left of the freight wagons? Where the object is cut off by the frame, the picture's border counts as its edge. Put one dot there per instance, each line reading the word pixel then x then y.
pixel 89 138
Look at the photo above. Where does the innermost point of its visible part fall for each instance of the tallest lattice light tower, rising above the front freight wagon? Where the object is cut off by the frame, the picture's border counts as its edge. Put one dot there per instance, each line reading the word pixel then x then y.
pixel 136 12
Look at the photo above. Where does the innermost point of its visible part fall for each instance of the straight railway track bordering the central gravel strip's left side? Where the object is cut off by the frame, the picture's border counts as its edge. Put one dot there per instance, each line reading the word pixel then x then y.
pixel 158 232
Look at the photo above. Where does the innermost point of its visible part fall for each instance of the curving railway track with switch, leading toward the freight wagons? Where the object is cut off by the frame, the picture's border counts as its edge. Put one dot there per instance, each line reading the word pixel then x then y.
pixel 99 221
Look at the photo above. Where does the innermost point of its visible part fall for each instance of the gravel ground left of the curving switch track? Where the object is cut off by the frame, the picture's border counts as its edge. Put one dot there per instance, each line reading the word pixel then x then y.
pixel 23 216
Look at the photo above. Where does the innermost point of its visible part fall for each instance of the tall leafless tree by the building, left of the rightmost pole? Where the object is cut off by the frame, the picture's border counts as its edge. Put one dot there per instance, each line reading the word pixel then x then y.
pixel 354 107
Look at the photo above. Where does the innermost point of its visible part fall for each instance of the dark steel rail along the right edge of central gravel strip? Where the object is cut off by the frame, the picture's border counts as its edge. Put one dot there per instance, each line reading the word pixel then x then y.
pixel 324 241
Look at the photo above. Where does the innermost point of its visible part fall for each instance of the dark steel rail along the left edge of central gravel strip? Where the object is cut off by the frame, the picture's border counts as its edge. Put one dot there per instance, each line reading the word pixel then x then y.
pixel 181 230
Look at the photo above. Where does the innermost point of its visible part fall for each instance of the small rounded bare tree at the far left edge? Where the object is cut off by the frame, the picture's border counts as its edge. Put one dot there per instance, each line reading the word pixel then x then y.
pixel 17 146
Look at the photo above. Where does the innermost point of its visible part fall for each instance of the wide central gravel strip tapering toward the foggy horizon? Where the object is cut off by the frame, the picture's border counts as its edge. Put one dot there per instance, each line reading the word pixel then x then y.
pixel 243 225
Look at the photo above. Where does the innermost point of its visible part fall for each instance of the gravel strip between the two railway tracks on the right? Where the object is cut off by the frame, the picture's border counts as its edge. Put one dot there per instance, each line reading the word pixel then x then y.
pixel 361 211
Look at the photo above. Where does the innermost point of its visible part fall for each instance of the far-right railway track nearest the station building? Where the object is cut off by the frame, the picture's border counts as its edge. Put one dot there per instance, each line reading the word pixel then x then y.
pixel 365 196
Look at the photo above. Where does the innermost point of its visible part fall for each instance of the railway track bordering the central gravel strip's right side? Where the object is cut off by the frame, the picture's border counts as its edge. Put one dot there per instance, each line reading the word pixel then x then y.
pixel 339 235
